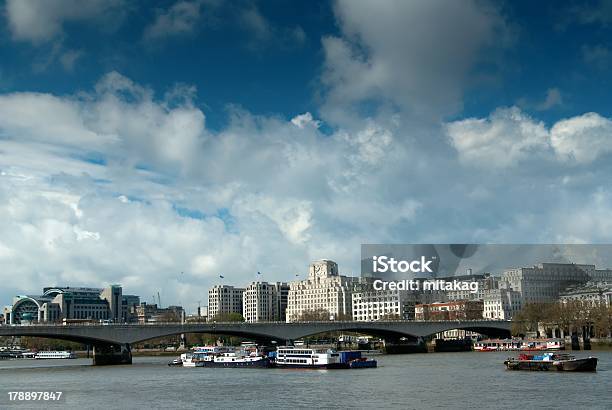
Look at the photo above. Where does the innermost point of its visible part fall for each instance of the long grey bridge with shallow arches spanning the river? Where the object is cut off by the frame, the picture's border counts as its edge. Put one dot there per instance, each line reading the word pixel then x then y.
pixel 112 342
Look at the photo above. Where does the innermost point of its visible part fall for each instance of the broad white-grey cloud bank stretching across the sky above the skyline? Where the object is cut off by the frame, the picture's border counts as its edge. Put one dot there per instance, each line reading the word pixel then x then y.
pixel 115 185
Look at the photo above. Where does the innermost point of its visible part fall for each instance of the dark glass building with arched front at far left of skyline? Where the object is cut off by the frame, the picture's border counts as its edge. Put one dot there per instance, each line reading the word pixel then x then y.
pixel 73 303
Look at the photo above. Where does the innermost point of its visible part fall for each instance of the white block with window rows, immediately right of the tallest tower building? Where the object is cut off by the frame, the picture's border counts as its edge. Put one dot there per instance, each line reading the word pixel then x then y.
pixel 371 305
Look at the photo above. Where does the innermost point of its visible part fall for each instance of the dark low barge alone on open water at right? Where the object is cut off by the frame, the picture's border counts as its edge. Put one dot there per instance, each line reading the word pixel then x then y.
pixel 552 362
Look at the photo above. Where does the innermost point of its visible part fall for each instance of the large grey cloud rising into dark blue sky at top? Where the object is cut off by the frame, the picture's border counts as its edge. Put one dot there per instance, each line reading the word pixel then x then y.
pixel 415 55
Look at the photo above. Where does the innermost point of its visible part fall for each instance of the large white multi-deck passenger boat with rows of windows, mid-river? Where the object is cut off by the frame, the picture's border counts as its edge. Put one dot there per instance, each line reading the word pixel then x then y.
pixel 299 357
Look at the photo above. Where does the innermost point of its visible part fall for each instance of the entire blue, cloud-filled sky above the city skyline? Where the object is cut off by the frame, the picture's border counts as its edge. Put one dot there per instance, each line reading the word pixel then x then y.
pixel 161 144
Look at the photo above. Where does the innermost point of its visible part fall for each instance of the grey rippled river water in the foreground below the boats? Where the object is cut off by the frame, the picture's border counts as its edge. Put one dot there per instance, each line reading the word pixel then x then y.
pixel 434 380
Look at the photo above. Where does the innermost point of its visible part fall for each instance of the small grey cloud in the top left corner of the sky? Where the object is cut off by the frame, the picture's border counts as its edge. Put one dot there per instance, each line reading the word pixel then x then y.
pixel 41 21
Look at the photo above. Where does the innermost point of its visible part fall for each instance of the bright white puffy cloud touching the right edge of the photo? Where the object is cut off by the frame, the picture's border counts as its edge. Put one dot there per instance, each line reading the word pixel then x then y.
pixel 583 138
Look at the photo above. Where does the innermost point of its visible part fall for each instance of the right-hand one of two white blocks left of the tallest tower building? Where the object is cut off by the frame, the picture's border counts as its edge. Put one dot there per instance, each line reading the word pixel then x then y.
pixel 265 302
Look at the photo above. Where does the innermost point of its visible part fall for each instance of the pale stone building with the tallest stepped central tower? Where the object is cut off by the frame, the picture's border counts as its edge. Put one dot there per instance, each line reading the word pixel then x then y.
pixel 323 292
